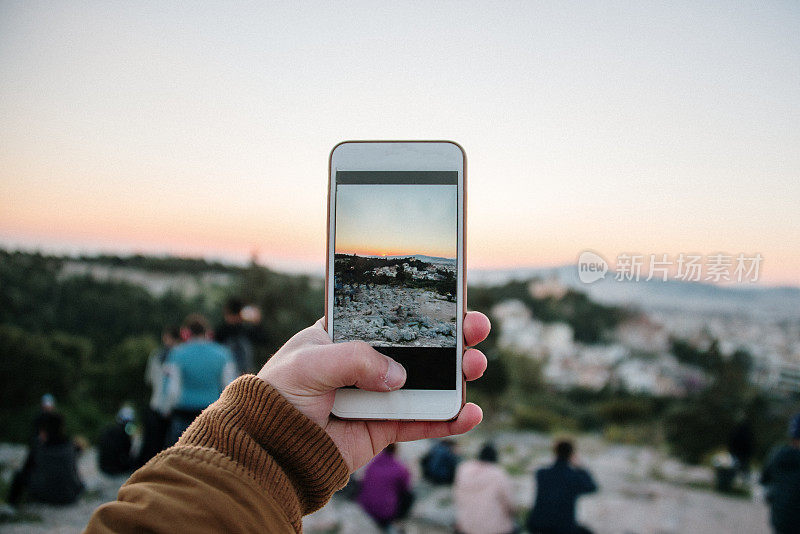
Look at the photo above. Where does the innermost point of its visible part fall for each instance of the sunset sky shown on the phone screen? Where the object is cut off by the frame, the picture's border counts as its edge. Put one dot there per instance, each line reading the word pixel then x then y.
pixel 395 220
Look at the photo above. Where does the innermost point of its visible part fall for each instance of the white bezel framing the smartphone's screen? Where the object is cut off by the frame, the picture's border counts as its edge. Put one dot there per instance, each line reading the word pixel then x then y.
pixel 428 405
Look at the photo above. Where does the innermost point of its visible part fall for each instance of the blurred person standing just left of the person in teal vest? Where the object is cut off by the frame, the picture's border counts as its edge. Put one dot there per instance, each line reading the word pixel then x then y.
pixel 156 416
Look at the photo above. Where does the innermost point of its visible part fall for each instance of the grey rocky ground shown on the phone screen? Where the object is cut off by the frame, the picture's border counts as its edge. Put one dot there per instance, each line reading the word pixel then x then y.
pixel 396 316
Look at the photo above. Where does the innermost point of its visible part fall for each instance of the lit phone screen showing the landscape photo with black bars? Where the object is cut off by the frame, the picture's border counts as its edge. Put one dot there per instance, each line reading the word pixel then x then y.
pixel 395 269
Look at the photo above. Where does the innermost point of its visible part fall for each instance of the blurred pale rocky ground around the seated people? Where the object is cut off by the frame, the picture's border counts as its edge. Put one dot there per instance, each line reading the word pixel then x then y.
pixel 641 491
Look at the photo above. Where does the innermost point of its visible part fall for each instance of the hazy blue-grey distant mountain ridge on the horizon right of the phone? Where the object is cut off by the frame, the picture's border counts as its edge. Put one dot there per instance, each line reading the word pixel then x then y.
pixel 743 299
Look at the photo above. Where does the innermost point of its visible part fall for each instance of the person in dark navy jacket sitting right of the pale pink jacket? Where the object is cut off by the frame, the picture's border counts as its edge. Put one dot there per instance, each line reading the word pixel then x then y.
pixel 557 490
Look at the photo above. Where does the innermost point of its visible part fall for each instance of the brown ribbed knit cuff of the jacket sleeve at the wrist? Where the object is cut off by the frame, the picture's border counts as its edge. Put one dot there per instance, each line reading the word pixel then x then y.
pixel 282 449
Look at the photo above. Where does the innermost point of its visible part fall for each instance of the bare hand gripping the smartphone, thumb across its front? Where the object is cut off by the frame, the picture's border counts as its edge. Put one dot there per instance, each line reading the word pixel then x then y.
pixel 309 368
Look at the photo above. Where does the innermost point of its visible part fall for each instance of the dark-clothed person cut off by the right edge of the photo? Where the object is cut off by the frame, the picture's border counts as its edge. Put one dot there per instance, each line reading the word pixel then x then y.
pixel 781 476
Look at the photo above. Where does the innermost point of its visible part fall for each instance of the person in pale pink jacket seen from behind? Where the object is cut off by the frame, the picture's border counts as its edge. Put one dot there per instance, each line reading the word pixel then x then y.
pixel 483 496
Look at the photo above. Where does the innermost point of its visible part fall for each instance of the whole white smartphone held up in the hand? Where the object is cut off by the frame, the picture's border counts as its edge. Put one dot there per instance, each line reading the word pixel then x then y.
pixel 396 271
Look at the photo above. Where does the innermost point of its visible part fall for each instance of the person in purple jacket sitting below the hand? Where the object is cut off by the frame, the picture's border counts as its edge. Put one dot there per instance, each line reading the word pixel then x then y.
pixel 386 488
